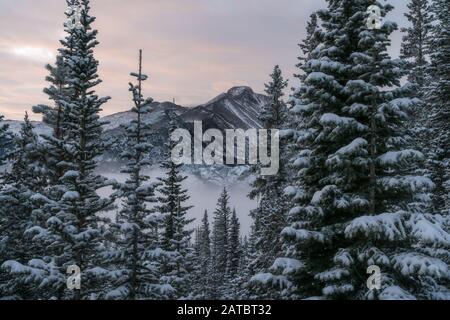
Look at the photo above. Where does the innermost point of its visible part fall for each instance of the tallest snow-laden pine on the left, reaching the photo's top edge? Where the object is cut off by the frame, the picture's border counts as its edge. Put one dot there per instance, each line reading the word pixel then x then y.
pixel 73 232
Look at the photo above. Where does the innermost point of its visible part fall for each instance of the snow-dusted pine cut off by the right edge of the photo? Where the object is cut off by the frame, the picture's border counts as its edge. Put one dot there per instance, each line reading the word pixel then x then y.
pixel 438 96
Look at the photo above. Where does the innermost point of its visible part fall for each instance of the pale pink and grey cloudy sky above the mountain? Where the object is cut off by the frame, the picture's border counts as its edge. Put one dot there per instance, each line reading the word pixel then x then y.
pixel 193 49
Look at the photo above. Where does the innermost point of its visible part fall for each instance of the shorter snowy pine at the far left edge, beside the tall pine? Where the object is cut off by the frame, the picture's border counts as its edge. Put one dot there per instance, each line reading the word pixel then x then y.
pixel 21 183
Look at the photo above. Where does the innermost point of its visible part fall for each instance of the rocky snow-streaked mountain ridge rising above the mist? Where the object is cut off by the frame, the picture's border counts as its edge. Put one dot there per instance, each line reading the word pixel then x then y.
pixel 238 108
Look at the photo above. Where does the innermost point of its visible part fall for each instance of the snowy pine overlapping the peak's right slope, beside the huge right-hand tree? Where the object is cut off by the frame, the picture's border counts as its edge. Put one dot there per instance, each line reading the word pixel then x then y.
pixel 270 215
